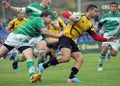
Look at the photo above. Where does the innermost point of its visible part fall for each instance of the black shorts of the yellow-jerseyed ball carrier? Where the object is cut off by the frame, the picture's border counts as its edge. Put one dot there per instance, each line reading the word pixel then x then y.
pixel 66 42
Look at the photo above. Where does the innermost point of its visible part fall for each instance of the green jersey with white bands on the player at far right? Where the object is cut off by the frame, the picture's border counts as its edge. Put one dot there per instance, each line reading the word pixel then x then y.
pixel 111 24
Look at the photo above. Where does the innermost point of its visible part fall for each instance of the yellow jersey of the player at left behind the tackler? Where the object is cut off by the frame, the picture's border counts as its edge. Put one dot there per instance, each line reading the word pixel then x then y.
pixel 15 23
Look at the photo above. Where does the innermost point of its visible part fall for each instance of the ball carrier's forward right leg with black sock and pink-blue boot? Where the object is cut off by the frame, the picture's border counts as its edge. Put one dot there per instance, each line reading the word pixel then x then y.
pixel 77 56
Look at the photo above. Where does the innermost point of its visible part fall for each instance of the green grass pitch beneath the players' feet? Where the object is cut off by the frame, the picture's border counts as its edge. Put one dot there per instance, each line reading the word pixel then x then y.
pixel 57 76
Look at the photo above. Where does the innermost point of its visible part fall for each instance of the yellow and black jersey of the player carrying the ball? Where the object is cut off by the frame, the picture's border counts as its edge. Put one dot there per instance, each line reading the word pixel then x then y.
pixel 75 30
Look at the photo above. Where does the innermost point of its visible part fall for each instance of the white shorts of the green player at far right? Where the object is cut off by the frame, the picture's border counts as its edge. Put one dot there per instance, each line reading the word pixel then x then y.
pixel 114 44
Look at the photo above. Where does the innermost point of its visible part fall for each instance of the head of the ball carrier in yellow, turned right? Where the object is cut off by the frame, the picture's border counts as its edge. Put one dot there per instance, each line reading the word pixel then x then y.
pixel 92 11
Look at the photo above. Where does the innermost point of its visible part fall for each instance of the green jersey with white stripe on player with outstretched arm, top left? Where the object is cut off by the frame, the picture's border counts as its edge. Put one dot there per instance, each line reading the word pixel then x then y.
pixel 36 9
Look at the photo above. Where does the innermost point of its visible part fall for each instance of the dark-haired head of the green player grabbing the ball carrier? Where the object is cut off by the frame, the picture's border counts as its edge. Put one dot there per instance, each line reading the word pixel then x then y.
pixel 47 16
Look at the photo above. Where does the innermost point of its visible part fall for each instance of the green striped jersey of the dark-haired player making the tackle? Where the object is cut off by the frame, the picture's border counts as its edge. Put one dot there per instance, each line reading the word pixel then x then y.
pixel 31 28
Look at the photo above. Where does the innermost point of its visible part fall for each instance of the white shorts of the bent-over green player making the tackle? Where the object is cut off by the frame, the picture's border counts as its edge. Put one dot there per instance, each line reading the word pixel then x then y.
pixel 17 40
